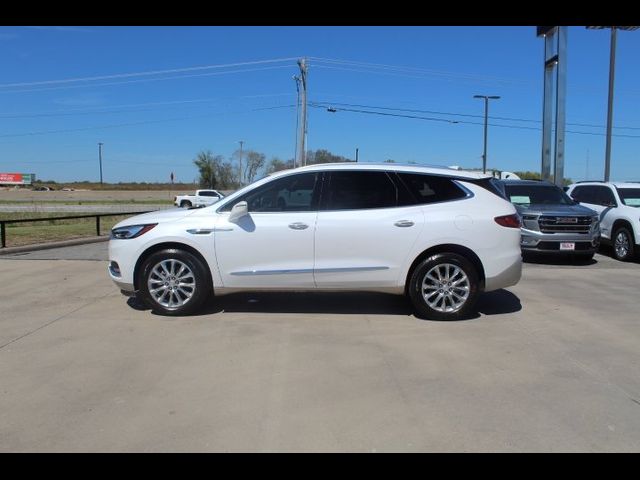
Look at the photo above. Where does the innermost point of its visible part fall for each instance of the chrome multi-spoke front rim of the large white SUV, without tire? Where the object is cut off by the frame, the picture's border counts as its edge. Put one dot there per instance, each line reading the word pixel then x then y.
pixel 171 283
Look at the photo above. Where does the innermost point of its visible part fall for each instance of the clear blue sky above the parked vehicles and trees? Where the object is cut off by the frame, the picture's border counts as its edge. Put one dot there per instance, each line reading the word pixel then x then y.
pixel 153 124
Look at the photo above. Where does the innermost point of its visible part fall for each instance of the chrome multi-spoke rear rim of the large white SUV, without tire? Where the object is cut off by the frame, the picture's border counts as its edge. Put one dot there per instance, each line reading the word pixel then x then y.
pixel 445 288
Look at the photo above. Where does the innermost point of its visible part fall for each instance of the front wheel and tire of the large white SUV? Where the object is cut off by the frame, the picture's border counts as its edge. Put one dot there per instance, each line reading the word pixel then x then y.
pixel 191 286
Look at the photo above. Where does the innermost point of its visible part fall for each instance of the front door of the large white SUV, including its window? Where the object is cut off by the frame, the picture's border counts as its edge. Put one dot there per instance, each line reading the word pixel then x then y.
pixel 272 246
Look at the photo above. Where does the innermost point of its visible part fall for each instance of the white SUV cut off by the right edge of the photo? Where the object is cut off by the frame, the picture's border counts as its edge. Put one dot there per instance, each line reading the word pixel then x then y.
pixel 618 205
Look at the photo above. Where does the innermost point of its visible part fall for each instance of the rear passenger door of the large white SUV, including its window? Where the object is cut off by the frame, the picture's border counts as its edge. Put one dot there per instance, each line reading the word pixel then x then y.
pixel 362 235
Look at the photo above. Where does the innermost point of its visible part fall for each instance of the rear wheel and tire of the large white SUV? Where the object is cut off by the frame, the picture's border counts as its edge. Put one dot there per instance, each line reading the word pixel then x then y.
pixel 451 307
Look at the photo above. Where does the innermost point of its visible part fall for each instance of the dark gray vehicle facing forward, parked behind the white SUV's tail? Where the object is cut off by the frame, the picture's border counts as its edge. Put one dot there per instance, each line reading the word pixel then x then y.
pixel 551 221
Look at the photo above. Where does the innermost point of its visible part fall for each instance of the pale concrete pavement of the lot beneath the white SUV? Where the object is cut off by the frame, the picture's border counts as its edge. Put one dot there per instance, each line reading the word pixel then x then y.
pixel 548 365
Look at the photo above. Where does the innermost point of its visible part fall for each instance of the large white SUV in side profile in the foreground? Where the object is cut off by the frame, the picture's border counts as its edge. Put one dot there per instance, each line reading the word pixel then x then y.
pixel 439 236
